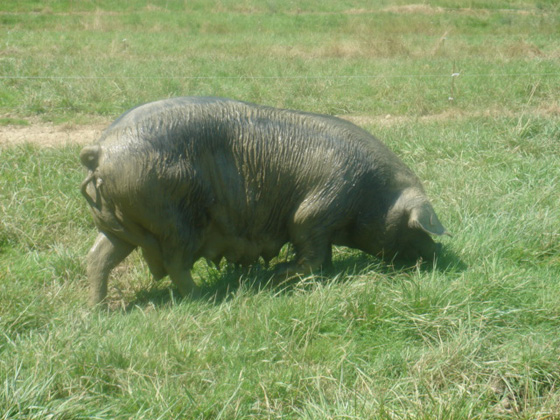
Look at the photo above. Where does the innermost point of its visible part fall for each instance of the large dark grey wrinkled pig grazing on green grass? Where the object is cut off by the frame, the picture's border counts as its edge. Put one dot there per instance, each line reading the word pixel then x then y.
pixel 192 177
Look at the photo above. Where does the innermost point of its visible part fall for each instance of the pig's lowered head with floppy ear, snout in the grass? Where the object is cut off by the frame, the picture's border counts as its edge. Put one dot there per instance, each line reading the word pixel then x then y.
pixel 405 231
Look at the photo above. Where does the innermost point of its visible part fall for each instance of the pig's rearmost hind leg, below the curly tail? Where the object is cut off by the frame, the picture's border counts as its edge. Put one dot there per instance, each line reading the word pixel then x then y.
pixel 105 254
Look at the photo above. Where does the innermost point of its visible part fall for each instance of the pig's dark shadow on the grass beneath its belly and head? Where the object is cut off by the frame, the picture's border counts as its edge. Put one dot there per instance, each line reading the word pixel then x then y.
pixel 227 280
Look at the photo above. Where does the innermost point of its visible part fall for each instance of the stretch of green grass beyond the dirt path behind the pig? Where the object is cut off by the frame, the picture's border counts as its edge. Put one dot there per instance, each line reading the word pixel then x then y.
pixel 65 60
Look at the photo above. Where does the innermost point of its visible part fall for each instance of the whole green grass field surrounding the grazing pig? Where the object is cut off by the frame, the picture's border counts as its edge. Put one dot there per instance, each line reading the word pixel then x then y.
pixel 475 337
